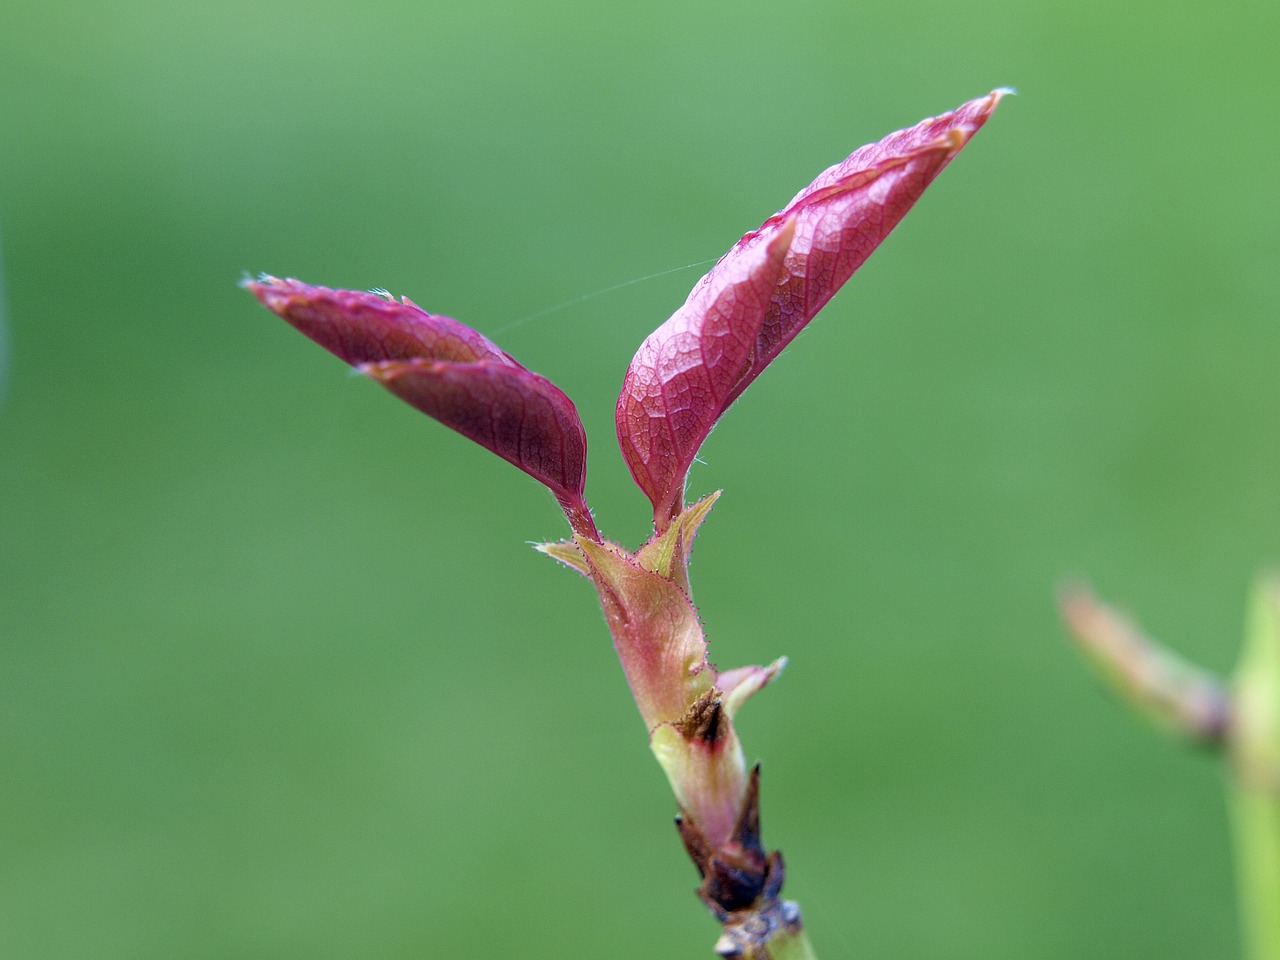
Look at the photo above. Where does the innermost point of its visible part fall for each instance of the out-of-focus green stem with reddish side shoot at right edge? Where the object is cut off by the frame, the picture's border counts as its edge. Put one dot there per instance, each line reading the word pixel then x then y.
pixel 1241 720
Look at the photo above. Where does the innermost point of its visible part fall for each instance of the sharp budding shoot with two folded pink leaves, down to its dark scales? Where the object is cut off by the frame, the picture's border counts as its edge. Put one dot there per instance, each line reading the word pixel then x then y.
pixel 684 377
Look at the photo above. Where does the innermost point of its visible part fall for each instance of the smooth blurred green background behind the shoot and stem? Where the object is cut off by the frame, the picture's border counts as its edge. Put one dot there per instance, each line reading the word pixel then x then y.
pixel 280 676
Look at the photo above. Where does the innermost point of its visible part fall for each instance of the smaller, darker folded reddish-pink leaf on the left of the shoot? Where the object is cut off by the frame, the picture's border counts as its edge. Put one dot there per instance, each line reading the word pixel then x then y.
pixel 452 373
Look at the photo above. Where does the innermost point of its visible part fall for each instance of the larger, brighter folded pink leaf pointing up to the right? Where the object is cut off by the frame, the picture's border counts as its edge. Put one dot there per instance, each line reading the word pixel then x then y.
pixel 696 365
